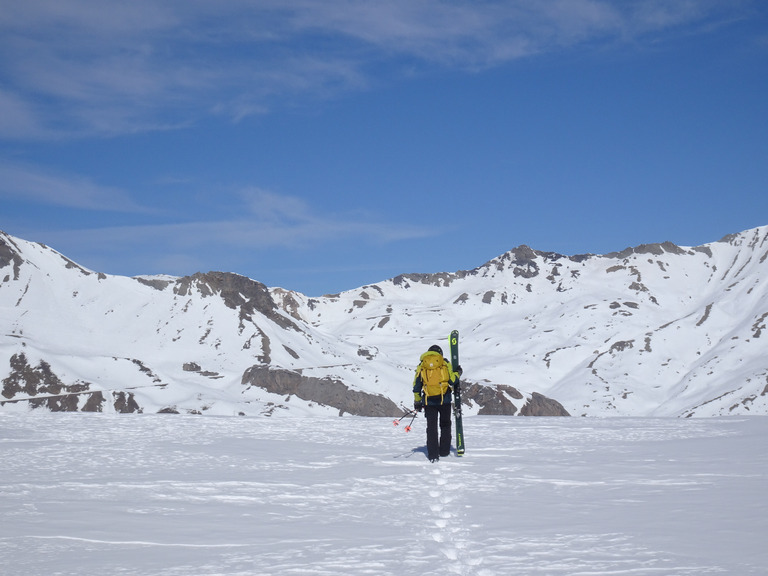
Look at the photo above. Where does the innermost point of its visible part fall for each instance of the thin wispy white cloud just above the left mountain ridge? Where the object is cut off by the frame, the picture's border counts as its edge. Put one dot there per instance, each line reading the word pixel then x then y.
pixel 267 223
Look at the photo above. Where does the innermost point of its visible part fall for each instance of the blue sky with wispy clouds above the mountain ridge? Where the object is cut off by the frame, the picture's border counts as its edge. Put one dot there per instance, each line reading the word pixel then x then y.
pixel 322 146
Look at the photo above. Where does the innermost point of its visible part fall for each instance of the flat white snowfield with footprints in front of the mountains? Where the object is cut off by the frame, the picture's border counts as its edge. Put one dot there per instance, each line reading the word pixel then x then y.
pixel 96 494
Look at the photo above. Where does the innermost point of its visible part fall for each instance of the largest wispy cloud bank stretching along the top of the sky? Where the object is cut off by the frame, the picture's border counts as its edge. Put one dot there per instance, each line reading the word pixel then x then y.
pixel 107 66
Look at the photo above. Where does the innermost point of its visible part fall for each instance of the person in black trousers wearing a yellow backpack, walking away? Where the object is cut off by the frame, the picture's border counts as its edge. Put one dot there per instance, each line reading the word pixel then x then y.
pixel 433 392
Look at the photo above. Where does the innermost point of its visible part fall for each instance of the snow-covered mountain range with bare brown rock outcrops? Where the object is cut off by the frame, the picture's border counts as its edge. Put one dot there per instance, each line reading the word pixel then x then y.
pixel 654 330
